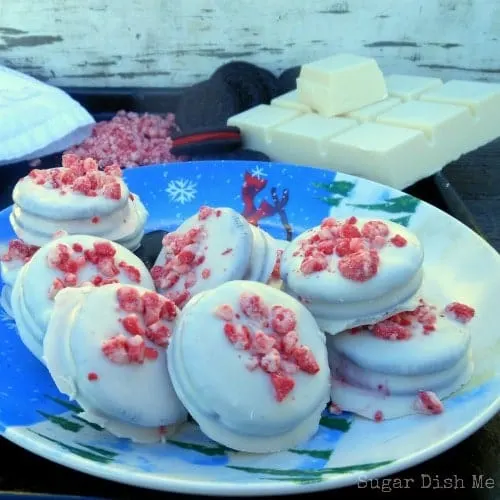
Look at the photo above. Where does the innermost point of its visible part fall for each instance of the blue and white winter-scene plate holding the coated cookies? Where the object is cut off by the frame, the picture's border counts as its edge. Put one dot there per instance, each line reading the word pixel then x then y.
pixel 285 200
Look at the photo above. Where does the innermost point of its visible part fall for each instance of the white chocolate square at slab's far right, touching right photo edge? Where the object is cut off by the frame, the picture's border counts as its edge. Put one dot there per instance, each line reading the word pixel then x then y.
pixel 483 102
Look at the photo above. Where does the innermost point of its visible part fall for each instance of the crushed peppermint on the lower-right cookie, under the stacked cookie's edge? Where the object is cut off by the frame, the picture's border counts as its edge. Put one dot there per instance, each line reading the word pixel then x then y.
pixel 402 326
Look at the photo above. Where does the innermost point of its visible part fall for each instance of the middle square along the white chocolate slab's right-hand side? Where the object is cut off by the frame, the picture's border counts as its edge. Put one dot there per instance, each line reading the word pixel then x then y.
pixel 446 125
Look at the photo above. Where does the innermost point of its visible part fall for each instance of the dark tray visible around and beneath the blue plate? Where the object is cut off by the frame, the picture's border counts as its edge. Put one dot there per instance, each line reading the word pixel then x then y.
pixel 27 473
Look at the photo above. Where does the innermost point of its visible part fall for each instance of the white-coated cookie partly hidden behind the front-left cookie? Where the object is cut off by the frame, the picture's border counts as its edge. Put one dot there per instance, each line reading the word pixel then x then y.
pixel 69 261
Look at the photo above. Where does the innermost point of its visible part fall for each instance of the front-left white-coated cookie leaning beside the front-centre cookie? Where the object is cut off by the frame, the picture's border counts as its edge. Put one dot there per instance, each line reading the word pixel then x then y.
pixel 106 348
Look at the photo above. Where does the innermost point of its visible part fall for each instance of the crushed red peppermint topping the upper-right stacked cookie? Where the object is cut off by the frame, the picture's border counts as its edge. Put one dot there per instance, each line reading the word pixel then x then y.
pixel 355 249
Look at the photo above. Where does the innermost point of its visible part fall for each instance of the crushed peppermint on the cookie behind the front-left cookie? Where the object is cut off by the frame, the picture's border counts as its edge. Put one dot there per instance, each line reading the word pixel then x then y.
pixel 70 260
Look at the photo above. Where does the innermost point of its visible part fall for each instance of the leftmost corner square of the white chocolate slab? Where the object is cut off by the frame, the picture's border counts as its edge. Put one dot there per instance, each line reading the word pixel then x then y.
pixel 256 123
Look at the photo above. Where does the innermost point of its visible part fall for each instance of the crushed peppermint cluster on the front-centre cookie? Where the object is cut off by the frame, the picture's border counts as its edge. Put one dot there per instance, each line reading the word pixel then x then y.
pixel 269 336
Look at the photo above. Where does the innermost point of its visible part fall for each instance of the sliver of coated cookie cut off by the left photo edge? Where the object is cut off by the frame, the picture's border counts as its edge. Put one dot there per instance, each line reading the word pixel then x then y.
pixel 11 262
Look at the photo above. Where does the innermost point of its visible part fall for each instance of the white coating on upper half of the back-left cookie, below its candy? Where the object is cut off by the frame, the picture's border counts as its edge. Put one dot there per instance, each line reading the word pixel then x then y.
pixel 49 203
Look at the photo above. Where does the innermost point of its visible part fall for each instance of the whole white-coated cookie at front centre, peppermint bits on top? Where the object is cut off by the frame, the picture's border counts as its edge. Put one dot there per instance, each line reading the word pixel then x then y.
pixel 255 377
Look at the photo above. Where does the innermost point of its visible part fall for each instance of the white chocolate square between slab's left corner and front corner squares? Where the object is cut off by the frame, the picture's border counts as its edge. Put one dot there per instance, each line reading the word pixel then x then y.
pixel 303 139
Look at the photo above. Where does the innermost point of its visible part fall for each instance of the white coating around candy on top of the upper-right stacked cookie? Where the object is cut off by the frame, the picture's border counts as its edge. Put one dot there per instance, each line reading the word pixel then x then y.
pixel 398 265
